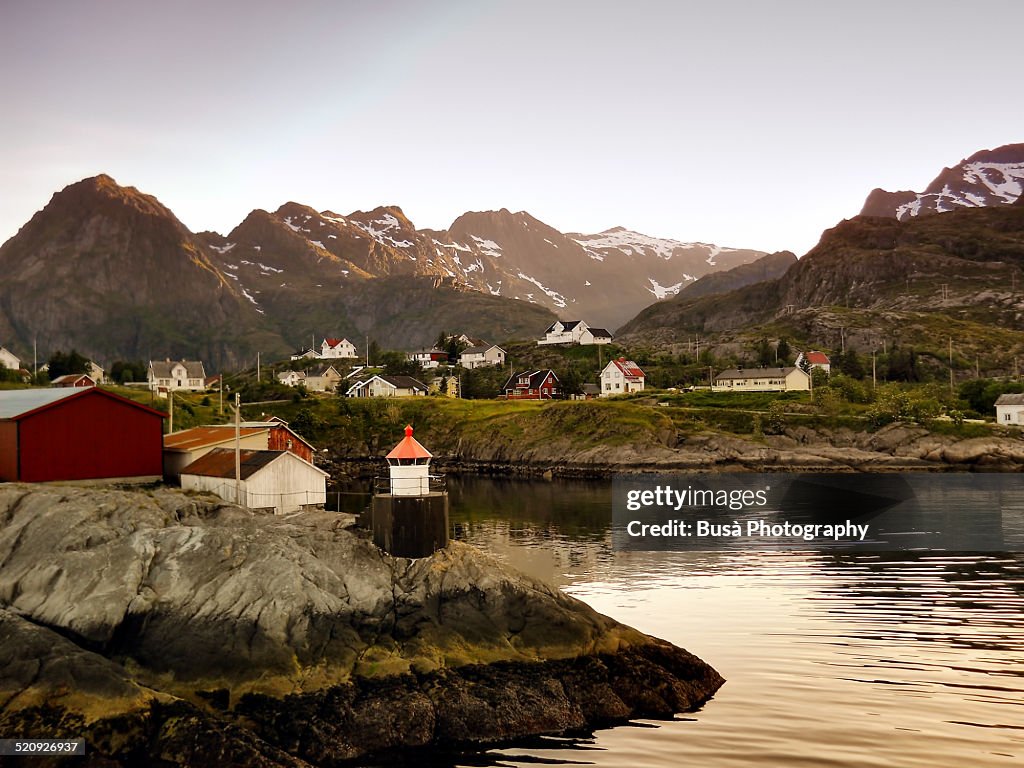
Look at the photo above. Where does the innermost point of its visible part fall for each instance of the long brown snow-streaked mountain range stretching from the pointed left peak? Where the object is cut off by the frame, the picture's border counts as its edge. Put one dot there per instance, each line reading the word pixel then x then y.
pixel 111 272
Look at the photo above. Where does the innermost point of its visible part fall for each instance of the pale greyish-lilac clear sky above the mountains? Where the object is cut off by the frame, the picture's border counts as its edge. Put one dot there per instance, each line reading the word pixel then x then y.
pixel 754 124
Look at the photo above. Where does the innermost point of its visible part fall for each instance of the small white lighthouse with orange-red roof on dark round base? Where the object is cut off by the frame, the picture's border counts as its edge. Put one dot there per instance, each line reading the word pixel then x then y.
pixel 410 516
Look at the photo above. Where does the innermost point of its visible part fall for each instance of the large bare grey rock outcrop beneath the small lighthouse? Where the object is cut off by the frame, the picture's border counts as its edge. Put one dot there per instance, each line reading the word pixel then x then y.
pixel 165 627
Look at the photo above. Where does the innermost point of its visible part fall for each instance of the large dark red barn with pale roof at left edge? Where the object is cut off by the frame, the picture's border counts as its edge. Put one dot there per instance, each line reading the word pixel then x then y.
pixel 77 434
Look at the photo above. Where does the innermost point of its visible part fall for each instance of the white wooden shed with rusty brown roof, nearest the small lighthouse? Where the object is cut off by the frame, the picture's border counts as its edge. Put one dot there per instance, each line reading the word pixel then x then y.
pixel 278 482
